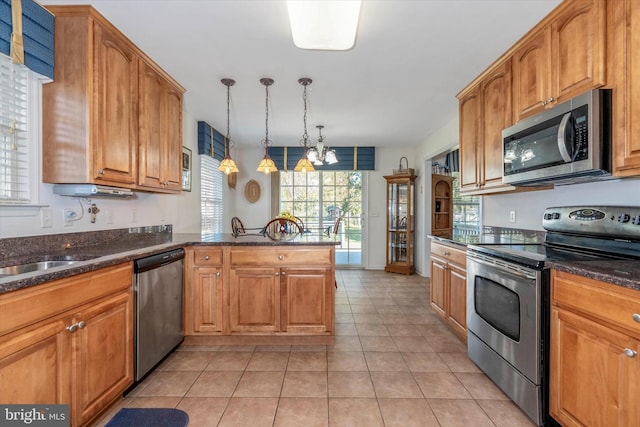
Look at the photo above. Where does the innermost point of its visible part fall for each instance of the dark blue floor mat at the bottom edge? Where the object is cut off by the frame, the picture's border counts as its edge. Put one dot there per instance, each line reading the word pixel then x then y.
pixel 149 417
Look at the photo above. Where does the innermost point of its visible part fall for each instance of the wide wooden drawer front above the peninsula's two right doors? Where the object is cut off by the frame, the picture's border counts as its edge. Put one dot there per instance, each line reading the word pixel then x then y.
pixel 280 256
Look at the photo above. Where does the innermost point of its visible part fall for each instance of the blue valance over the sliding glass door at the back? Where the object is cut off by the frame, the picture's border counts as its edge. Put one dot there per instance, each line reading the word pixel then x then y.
pixel 349 158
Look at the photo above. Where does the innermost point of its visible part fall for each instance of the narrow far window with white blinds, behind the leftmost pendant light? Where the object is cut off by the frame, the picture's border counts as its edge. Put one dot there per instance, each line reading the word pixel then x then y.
pixel 211 196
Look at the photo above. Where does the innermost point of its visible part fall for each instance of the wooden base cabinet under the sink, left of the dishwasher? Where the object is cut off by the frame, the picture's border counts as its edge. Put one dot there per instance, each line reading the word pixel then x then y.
pixel 74 346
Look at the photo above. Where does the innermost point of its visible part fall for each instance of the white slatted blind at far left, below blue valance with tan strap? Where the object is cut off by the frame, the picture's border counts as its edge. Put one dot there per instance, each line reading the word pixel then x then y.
pixel 14 148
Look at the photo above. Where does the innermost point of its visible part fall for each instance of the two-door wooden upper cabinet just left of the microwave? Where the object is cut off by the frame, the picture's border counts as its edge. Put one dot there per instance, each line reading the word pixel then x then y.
pixel 485 110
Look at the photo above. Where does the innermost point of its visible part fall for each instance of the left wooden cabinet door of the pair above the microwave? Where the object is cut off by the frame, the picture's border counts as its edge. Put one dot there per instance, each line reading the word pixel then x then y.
pixel 531 75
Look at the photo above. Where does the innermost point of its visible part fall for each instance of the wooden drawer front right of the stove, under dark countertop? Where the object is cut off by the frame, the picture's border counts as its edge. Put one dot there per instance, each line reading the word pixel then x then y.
pixel 603 301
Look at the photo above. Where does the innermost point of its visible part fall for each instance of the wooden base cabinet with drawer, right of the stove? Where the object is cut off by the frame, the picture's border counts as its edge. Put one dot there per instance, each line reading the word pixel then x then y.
pixel 595 341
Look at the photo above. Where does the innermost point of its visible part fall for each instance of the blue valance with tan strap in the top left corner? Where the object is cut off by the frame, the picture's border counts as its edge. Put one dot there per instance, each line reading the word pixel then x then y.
pixel 37 31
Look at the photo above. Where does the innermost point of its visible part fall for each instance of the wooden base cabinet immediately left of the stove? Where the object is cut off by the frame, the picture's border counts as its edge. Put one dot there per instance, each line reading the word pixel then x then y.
pixel 448 287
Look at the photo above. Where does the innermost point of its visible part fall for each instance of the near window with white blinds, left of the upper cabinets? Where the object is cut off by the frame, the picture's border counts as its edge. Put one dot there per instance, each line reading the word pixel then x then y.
pixel 18 145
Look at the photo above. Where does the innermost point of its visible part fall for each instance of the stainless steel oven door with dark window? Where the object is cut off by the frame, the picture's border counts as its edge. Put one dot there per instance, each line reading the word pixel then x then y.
pixel 504 306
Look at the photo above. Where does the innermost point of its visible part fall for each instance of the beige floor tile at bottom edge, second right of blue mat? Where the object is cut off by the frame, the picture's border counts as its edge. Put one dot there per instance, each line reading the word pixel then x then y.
pixel 249 411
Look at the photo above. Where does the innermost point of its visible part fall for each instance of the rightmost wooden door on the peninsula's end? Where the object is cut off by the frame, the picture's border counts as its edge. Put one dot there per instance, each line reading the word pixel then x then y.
pixel 306 300
